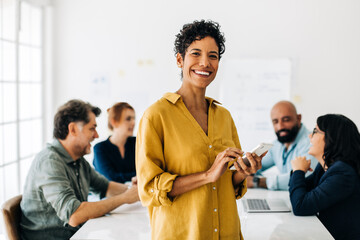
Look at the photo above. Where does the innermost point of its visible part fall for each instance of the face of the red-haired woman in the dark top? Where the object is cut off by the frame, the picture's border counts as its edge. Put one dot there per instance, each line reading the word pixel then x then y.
pixel 126 124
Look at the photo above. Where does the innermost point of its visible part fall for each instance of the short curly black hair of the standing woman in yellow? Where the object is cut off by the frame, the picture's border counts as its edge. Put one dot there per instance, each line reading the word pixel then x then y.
pixel 198 30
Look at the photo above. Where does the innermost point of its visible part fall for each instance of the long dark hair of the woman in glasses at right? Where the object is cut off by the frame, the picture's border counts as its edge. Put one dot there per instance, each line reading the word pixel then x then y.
pixel 342 140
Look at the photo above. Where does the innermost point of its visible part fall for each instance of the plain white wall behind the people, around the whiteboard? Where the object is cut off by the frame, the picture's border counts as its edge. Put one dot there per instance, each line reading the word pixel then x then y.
pixel 130 45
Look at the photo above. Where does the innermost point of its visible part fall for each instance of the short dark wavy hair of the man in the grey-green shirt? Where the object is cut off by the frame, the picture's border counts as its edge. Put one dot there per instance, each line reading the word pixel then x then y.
pixel 72 111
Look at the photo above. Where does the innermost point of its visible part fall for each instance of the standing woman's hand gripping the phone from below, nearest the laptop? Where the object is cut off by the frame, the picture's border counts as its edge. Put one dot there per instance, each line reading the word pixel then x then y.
pixel 255 163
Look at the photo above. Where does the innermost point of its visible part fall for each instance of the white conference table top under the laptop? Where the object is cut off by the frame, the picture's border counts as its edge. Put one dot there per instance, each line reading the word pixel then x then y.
pixel 131 222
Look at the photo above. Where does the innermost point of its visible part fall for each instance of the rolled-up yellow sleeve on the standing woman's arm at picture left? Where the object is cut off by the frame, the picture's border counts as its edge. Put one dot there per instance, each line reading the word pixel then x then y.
pixel 153 182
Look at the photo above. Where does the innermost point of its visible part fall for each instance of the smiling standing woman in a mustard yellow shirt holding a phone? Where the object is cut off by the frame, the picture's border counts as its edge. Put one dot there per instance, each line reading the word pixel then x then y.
pixel 184 147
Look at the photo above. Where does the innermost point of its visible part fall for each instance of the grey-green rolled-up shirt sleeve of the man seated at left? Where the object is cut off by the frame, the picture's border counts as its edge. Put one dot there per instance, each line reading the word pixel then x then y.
pixel 54 183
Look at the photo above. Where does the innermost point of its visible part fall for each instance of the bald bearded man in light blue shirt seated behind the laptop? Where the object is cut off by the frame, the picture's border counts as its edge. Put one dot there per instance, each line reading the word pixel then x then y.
pixel 292 140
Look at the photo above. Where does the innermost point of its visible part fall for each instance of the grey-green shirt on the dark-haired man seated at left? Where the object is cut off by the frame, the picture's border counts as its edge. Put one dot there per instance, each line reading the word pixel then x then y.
pixel 55 187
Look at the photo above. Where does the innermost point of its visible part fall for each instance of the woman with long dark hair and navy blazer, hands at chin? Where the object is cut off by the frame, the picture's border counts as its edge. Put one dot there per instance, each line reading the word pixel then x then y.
pixel 332 192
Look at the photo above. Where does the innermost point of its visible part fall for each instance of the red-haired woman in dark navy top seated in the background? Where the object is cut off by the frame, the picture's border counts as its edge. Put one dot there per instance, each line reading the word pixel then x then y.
pixel 115 157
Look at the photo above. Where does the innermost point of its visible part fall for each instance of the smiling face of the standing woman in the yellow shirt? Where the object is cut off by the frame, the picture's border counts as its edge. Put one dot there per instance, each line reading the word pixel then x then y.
pixel 200 64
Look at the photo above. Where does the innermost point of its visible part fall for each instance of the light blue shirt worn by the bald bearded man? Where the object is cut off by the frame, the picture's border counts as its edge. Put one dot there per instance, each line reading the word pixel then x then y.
pixel 281 157
